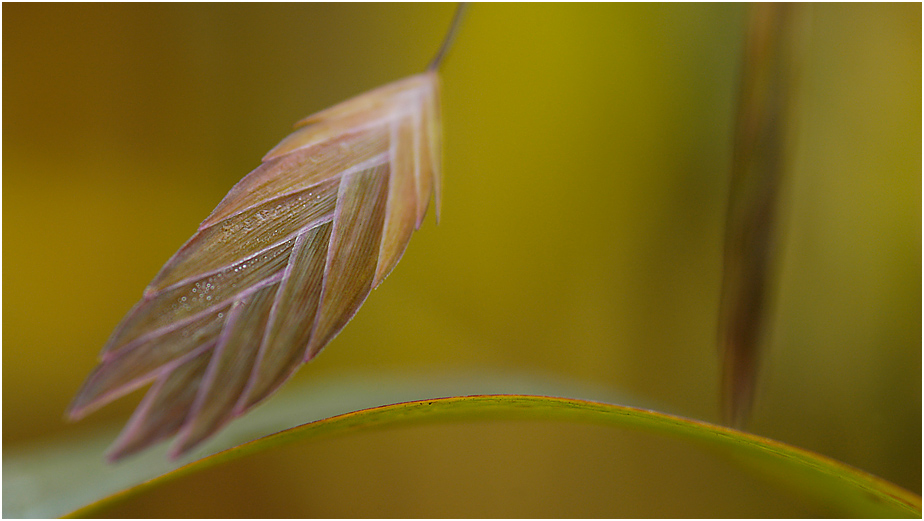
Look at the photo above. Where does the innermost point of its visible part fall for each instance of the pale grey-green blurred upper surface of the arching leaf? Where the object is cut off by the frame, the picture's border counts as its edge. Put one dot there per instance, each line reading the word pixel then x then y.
pixel 45 478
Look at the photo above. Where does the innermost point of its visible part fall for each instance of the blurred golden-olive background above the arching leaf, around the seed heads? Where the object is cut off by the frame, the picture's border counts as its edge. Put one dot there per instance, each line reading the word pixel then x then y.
pixel 586 156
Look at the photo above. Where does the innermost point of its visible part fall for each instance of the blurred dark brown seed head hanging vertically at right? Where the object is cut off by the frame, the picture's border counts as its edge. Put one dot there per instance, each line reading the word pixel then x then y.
pixel 759 163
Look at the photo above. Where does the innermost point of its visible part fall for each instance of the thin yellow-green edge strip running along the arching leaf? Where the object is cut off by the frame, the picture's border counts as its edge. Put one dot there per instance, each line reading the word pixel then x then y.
pixel 520 407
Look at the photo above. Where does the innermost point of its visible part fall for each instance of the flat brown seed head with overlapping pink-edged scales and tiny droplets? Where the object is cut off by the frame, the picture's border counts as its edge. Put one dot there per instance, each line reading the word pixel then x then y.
pixel 278 268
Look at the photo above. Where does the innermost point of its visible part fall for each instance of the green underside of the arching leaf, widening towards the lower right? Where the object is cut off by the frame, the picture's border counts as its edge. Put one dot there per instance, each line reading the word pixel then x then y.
pixel 857 492
